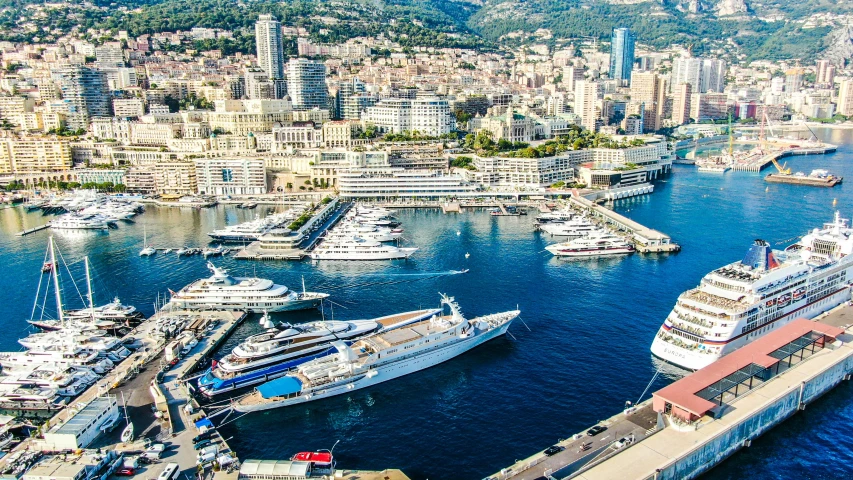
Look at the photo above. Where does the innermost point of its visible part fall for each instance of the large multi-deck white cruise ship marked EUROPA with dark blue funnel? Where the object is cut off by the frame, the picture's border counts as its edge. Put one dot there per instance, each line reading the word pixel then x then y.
pixel 740 302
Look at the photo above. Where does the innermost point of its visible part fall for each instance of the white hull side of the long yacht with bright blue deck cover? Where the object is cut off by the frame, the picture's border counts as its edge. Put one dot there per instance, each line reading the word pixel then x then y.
pixel 386 372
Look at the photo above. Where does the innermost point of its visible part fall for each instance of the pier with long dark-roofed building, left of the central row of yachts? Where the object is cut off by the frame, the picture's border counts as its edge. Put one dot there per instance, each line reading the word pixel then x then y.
pixel 296 245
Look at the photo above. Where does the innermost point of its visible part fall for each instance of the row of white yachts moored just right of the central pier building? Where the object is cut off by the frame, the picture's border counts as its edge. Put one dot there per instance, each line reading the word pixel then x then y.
pixel 365 233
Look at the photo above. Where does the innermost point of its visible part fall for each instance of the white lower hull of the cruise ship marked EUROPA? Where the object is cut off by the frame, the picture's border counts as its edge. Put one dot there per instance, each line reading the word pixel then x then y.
pixel 694 359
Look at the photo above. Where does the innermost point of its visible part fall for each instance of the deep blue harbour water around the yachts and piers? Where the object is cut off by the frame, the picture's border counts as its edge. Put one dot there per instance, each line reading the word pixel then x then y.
pixel 585 353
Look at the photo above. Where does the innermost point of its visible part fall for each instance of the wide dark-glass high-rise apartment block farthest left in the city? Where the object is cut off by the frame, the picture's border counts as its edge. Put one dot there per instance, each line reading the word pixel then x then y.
pixel 85 93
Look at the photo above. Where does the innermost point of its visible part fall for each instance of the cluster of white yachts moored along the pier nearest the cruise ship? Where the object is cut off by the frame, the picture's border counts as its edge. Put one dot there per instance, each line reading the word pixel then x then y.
pixel 584 237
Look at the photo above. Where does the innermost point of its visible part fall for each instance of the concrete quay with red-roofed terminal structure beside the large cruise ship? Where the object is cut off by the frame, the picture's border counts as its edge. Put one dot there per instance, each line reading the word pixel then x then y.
pixel 703 418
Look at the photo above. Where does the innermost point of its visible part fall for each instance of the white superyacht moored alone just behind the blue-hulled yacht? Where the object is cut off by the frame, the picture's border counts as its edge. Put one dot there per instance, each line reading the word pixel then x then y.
pixel 224 292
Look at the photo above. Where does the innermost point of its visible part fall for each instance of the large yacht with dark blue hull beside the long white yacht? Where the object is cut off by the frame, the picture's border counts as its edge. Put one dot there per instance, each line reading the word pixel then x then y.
pixel 281 348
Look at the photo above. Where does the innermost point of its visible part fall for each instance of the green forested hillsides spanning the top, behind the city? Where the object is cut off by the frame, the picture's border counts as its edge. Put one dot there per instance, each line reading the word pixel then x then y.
pixel 771 29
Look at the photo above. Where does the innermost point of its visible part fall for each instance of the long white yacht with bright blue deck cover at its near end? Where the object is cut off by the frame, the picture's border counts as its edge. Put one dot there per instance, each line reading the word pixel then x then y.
pixel 377 358
